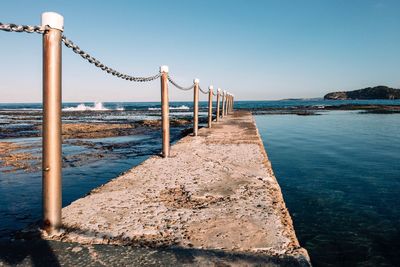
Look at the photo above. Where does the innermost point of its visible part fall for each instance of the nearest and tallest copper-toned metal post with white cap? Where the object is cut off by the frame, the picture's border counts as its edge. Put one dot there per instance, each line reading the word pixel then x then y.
pixel 51 137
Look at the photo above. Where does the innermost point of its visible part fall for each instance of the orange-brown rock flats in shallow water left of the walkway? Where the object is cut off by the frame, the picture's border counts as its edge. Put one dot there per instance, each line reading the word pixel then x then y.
pixel 15 156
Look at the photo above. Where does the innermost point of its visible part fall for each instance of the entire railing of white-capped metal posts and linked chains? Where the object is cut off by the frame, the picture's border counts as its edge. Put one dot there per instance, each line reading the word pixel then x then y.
pixel 52 28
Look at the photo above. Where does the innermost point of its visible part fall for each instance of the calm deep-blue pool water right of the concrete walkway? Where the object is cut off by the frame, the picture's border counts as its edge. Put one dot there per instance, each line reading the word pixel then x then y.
pixel 340 177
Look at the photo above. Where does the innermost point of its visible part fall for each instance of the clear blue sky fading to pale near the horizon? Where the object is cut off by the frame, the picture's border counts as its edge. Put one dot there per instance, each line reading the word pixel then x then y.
pixel 256 49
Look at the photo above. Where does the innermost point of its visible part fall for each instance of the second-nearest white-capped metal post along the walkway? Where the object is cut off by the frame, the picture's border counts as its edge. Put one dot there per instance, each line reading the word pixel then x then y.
pixel 164 111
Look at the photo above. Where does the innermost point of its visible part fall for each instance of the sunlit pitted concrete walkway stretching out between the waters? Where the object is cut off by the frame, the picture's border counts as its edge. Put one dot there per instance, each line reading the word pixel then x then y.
pixel 216 192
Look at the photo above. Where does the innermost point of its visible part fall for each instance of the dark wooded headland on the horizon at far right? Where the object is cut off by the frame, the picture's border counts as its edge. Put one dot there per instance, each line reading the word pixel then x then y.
pixel 377 92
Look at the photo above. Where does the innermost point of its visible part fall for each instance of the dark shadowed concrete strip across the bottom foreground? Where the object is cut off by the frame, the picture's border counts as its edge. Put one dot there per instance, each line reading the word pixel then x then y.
pixel 39 252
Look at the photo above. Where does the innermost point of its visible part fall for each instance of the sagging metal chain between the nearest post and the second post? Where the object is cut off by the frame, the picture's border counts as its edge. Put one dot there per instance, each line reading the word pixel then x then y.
pixel 68 43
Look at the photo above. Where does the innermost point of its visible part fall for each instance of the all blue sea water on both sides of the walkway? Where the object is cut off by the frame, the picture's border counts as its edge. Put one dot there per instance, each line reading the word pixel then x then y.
pixel 339 171
